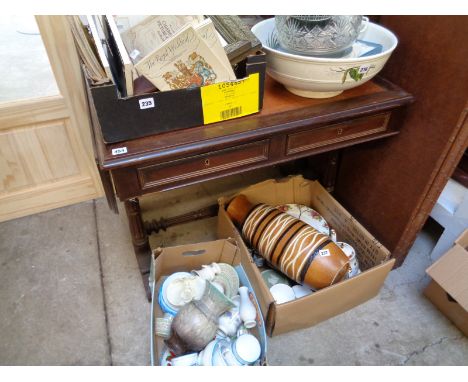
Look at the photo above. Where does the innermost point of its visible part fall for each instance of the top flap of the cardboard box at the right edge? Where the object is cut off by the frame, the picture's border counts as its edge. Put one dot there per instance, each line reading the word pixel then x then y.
pixel 451 271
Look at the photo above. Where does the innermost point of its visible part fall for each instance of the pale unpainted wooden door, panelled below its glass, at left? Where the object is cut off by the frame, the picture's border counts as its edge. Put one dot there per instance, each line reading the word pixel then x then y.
pixel 46 156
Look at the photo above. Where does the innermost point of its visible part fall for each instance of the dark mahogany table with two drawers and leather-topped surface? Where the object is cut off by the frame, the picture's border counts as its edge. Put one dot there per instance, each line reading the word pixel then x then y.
pixel 288 127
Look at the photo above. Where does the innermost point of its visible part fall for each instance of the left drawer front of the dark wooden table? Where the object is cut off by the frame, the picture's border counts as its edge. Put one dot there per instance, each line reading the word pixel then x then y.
pixel 203 165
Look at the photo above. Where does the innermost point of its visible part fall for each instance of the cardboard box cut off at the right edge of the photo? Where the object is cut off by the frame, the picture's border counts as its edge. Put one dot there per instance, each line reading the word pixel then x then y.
pixel 448 289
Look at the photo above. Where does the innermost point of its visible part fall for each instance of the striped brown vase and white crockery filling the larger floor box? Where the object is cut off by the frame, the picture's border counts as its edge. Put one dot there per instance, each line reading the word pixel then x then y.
pixel 296 241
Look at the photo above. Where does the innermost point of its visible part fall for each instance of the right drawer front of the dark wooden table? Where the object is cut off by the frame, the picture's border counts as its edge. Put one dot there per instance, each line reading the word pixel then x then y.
pixel 356 128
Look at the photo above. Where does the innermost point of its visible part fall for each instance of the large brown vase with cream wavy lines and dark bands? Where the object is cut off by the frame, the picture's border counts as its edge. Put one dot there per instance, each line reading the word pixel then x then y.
pixel 288 244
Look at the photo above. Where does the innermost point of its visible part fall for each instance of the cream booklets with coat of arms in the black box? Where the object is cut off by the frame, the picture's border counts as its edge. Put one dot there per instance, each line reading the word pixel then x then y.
pixel 175 52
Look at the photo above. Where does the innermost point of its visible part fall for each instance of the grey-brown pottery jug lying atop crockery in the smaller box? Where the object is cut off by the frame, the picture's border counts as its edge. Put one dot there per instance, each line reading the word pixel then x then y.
pixel 196 323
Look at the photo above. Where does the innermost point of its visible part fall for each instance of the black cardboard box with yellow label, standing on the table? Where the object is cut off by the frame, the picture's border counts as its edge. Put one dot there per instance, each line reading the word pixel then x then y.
pixel 122 118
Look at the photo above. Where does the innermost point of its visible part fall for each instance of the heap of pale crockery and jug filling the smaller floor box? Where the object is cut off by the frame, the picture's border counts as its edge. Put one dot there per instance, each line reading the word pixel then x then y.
pixel 207 317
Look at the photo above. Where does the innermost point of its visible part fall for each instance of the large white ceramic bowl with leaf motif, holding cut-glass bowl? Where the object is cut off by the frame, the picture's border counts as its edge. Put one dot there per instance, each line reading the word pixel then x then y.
pixel 316 77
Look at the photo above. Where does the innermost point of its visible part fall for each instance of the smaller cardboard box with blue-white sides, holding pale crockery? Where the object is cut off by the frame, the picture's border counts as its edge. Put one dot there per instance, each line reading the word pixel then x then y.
pixel 168 260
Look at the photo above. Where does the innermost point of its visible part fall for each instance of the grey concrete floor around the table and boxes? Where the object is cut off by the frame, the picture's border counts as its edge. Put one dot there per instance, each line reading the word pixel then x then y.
pixel 71 294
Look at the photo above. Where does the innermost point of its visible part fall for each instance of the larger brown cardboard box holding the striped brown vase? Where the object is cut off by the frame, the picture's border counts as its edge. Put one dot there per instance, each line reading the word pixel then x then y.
pixel 374 258
